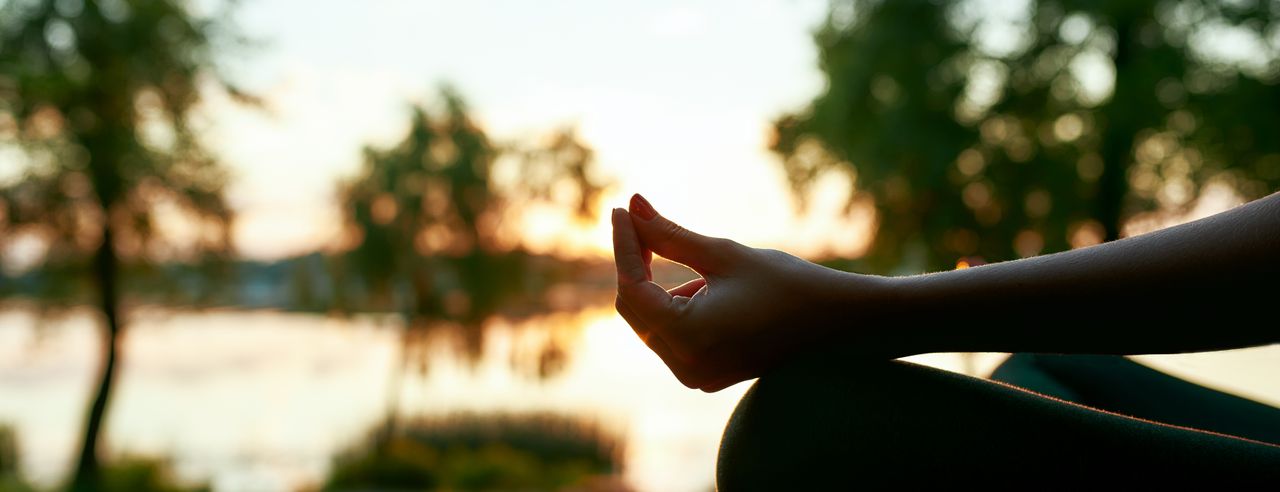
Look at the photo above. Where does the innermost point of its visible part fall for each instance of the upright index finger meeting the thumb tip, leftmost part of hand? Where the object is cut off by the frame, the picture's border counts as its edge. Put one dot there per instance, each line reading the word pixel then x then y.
pixel 648 299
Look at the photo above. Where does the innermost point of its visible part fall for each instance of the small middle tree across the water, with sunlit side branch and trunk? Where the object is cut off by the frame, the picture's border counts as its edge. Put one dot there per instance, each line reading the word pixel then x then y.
pixel 424 224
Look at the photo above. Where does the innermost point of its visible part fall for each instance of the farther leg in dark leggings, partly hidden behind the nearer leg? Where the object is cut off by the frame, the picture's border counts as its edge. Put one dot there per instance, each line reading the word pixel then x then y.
pixel 1123 386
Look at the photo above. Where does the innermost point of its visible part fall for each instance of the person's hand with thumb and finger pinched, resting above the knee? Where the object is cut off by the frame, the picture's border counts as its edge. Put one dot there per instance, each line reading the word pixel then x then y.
pixel 751 309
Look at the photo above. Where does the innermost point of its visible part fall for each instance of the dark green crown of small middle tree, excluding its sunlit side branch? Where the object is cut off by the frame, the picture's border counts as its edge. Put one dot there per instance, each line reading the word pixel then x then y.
pixel 428 197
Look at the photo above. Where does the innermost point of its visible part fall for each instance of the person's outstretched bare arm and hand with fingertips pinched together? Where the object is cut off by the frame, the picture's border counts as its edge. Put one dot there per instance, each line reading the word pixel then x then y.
pixel 756 308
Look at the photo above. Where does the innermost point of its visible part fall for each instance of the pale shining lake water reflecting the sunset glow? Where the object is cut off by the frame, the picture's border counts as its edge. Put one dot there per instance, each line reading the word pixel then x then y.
pixel 264 400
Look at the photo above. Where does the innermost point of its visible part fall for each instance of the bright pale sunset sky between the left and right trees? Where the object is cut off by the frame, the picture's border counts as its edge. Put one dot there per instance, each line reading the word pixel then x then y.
pixel 675 97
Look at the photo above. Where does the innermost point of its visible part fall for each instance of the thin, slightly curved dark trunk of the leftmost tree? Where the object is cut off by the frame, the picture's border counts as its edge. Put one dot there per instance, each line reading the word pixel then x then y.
pixel 106 267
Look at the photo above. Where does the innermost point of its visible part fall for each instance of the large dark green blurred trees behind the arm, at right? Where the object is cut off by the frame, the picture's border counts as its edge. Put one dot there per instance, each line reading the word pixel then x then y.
pixel 975 134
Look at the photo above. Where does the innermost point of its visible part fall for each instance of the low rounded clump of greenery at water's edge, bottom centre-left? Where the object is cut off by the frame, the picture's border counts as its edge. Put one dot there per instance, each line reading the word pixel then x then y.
pixel 479 453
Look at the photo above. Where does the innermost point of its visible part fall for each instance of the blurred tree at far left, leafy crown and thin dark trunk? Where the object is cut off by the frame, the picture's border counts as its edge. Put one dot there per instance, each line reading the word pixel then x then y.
pixel 97 98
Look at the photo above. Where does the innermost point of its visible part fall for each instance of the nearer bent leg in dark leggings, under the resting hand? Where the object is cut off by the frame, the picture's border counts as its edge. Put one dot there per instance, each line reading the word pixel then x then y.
pixel 831 422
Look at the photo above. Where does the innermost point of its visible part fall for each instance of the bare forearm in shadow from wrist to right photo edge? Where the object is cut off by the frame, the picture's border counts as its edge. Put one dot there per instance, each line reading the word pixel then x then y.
pixel 1194 288
